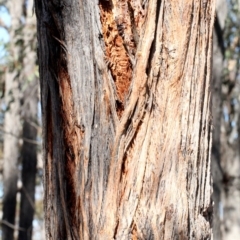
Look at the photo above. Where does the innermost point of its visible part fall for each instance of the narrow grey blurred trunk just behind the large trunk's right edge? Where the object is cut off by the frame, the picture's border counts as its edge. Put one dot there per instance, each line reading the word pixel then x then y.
pixel 217 173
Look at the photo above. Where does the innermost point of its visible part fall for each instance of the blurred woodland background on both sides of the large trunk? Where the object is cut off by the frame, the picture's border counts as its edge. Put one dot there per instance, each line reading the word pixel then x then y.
pixel 21 209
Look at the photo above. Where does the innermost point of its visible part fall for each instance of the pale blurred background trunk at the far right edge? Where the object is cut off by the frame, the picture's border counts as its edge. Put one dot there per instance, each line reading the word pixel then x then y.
pixel 230 155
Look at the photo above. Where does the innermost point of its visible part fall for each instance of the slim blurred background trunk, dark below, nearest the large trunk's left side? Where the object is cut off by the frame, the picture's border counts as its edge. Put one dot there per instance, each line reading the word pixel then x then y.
pixel 29 148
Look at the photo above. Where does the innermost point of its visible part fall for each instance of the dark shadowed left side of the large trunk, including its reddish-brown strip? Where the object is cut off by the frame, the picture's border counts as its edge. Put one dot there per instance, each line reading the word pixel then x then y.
pixel 63 135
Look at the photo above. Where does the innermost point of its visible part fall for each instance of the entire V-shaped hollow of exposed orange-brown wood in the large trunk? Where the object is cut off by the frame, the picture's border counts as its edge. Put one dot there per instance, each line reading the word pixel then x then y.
pixel 121 25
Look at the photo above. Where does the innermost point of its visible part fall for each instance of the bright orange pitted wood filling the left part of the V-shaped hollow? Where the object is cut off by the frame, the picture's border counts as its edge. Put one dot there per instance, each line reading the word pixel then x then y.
pixel 116 55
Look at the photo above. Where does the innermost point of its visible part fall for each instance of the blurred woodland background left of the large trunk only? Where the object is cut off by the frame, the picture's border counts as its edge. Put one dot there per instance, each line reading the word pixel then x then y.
pixel 20 124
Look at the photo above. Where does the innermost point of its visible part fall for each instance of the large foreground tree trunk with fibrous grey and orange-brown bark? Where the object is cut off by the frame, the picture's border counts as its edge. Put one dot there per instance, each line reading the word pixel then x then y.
pixel 126 121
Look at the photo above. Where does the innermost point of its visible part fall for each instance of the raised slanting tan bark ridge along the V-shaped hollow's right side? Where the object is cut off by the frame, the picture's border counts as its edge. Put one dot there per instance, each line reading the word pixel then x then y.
pixel 138 86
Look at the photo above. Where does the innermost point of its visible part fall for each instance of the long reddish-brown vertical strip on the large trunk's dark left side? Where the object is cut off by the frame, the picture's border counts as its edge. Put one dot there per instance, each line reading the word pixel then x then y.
pixel 73 136
